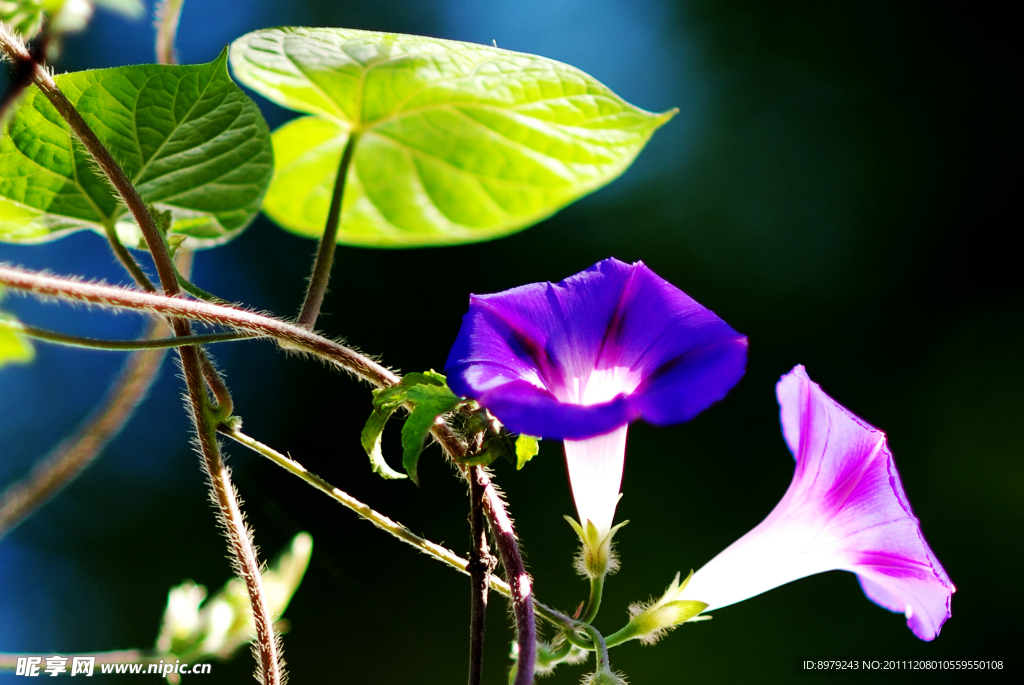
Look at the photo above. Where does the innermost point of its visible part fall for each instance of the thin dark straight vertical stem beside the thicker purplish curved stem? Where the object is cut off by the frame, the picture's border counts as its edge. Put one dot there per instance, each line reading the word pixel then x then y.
pixel 481 566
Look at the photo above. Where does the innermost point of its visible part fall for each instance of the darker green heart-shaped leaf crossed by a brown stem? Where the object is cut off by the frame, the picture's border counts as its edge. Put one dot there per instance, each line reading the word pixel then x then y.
pixel 187 136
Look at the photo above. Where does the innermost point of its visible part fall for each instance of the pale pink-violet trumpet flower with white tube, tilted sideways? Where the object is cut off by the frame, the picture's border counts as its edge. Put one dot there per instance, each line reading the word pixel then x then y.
pixel 845 510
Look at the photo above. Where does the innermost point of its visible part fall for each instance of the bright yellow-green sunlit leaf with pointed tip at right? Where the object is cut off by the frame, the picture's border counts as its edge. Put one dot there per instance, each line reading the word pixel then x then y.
pixel 457 142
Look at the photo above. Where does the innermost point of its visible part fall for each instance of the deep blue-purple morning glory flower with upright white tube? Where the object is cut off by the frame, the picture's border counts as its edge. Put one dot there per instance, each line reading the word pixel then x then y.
pixel 581 359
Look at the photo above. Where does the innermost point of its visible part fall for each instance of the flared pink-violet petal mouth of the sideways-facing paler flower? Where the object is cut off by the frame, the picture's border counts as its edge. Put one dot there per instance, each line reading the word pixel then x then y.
pixel 844 466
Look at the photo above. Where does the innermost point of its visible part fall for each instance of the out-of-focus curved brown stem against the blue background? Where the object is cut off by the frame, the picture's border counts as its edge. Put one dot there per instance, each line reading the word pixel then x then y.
pixel 76 453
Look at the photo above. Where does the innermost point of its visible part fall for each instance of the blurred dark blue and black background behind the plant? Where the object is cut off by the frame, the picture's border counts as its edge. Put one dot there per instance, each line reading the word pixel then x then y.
pixel 837 187
